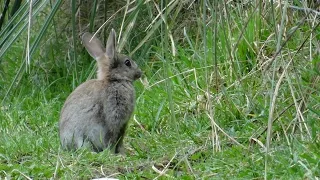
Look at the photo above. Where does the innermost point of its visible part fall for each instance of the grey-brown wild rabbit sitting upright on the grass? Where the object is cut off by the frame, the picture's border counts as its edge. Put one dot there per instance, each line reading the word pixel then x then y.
pixel 96 113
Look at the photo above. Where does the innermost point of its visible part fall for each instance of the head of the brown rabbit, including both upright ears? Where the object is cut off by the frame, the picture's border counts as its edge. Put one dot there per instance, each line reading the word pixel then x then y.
pixel 111 65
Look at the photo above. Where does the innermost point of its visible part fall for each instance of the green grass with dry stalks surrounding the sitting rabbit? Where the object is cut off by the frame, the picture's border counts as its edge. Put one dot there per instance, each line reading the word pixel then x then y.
pixel 203 104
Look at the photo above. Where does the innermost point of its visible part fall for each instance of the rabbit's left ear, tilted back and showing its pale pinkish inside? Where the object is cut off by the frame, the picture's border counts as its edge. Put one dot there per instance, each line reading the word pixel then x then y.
pixel 93 45
